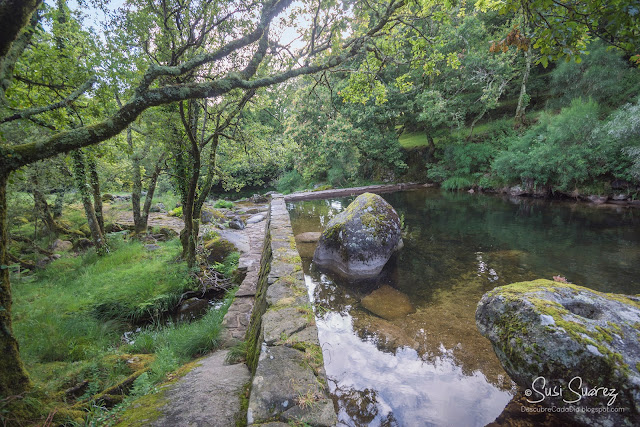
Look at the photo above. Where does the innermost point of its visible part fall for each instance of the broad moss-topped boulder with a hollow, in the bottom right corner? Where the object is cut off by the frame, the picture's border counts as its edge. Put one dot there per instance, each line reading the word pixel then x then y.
pixel 579 343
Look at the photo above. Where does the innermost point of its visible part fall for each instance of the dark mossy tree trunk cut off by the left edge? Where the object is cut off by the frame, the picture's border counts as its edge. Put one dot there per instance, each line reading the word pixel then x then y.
pixel 13 377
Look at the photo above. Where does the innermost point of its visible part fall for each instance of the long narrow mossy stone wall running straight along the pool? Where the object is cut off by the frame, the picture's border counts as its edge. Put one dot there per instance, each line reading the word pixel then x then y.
pixel 289 383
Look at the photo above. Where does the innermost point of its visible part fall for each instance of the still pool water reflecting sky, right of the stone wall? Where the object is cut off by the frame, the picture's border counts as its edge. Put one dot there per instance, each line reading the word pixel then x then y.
pixel 432 367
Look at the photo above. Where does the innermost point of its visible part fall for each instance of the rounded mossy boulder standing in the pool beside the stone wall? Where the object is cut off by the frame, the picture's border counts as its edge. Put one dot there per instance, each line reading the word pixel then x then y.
pixel 359 241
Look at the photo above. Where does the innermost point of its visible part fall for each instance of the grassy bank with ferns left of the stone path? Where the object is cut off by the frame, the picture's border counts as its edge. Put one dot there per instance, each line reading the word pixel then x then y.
pixel 70 320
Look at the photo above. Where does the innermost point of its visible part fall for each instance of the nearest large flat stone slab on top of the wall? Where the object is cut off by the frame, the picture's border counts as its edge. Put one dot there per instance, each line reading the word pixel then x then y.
pixel 282 376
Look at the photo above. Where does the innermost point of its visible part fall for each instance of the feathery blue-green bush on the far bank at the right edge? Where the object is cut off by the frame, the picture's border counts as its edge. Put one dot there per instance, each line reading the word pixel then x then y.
pixel 572 149
